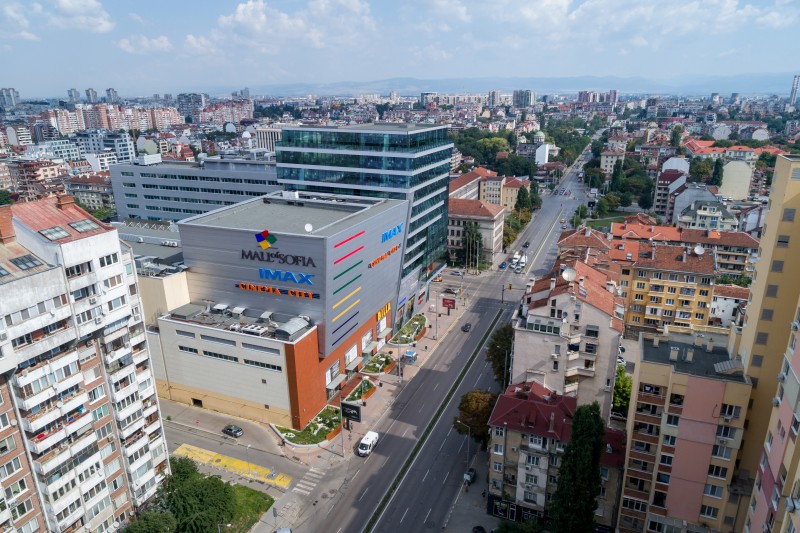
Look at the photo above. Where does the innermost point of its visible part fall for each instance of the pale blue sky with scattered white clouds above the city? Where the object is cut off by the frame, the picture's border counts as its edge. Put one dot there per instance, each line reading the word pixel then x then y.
pixel 144 46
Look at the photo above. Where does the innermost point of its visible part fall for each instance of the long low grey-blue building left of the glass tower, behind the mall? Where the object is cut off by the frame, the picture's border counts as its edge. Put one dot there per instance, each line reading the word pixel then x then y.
pixel 152 189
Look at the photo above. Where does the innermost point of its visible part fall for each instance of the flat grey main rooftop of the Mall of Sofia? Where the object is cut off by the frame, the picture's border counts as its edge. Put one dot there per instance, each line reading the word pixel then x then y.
pixel 296 212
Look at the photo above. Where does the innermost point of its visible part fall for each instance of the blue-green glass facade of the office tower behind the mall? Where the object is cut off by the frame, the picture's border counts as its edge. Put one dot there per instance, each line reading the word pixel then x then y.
pixel 378 160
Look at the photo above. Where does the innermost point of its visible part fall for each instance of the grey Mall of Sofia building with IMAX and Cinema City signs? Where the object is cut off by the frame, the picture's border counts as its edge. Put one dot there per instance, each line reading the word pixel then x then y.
pixel 279 302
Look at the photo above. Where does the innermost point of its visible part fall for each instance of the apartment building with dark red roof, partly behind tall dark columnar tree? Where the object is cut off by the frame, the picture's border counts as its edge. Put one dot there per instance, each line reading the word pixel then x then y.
pixel 530 427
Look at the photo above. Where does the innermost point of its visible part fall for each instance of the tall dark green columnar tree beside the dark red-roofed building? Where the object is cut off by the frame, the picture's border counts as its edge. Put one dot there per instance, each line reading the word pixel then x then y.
pixel 575 499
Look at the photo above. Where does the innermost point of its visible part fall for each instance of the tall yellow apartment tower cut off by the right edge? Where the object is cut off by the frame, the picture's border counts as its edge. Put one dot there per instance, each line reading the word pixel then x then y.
pixel 765 335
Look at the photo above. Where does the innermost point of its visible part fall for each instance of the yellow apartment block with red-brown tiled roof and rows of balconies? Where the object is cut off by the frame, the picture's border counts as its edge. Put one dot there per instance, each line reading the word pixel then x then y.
pixel 668 285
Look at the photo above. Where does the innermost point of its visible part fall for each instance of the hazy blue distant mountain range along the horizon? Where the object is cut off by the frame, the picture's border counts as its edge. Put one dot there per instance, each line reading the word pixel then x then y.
pixel 745 84
